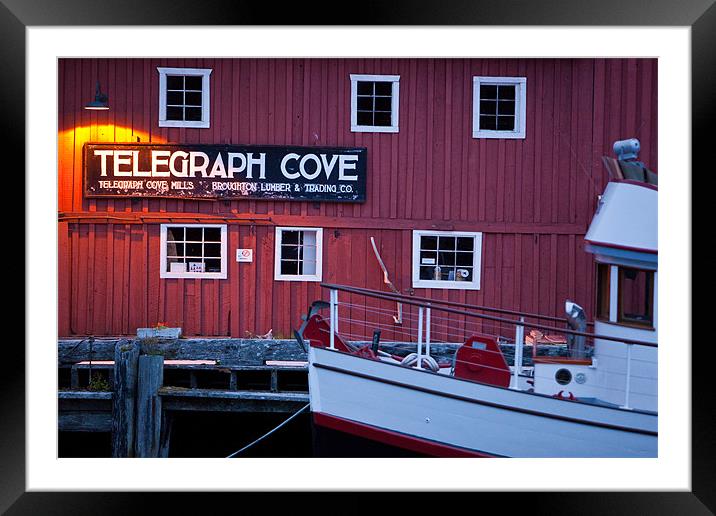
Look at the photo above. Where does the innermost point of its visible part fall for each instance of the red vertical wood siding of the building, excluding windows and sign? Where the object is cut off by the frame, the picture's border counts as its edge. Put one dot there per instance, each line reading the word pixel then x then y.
pixel 532 198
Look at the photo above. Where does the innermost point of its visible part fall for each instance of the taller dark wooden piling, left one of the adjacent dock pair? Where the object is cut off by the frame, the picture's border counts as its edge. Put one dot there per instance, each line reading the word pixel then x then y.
pixel 126 358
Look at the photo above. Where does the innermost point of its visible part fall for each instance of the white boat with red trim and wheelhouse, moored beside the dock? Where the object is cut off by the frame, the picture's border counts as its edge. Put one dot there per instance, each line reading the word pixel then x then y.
pixel 434 382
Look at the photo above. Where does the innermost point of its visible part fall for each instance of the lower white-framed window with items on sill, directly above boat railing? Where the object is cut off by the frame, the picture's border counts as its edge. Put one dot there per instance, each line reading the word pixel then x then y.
pixel 447 259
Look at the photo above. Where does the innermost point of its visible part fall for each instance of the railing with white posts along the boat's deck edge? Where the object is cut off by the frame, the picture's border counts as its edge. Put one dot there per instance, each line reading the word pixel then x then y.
pixel 437 328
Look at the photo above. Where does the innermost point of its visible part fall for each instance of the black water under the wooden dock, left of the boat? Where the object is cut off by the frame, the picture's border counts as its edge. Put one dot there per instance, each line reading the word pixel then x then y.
pixel 211 434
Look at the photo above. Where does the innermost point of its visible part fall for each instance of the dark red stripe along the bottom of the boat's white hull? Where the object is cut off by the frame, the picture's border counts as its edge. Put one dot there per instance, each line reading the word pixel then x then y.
pixel 391 438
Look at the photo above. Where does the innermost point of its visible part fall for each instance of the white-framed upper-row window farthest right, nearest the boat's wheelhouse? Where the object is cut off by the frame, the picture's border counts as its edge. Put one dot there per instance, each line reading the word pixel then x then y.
pixel 499 107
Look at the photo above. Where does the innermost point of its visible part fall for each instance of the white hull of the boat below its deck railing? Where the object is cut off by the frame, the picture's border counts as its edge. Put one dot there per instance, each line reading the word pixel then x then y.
pixel 436 415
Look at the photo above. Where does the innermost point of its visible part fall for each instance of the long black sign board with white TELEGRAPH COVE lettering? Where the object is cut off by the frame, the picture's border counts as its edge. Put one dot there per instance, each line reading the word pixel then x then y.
pixel 195 171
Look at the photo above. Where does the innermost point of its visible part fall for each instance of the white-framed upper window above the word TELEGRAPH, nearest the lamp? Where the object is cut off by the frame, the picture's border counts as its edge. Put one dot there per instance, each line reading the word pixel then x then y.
pixel 184 97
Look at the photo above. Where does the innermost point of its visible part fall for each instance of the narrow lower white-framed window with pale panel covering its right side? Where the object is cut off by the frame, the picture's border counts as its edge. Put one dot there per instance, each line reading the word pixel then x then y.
pixel 298 254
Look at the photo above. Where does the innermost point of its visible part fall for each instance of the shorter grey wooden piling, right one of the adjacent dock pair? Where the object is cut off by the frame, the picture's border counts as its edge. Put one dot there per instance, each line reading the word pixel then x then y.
pixel 149 406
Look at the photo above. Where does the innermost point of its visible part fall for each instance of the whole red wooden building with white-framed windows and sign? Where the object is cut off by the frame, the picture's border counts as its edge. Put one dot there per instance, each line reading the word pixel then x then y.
pixel 481 177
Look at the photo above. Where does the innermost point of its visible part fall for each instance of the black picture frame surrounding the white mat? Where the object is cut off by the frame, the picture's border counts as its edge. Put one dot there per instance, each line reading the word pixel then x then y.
pixel 17 15
